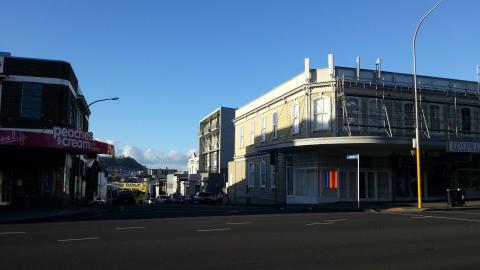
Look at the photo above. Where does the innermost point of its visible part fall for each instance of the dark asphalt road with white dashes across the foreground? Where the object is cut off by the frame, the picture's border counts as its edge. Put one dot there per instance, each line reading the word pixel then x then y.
pixel 361 240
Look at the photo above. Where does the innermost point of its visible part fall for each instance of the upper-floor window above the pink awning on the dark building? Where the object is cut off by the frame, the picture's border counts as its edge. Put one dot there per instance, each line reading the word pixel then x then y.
pixel 31 104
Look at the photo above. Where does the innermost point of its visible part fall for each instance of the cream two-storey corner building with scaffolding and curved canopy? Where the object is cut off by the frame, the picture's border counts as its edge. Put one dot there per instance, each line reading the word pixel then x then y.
pixel 291 143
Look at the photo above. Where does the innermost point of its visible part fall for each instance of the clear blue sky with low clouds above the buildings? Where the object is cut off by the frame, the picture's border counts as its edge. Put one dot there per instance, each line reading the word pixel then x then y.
pixel 173 62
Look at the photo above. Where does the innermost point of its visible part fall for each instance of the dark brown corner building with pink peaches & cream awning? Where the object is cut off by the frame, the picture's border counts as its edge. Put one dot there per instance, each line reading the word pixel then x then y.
pixel 47 154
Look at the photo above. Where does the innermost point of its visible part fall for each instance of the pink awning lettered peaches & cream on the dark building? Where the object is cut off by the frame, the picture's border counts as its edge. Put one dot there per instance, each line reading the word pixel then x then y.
pixel 57 138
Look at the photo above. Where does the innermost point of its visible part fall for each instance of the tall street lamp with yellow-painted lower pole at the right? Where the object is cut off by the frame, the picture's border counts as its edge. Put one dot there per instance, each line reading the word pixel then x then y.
pixel 417 137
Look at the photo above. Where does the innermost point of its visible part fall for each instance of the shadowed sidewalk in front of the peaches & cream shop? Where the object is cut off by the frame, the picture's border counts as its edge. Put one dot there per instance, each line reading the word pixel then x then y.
pixel 11 216
